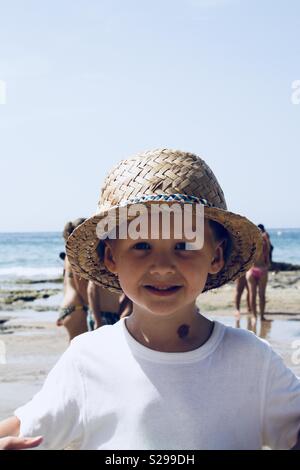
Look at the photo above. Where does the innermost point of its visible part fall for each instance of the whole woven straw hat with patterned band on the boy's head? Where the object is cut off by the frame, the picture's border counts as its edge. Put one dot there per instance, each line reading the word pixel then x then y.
pixel 163 175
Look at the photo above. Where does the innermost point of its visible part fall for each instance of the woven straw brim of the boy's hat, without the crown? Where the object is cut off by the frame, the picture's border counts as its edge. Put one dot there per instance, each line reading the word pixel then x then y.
pixel 246 245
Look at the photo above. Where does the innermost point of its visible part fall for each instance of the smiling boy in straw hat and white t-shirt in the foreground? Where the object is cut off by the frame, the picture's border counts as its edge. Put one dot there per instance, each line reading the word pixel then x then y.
pixel 166 377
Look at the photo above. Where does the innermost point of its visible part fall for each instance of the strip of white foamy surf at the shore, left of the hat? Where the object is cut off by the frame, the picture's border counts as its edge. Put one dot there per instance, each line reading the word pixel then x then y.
pixel 36 273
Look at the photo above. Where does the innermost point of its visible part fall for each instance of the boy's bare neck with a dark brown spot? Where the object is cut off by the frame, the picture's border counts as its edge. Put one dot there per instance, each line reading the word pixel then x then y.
pixel 178 334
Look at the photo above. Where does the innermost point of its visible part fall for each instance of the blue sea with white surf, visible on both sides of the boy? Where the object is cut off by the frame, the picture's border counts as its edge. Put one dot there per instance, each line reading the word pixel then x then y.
pixel 35 256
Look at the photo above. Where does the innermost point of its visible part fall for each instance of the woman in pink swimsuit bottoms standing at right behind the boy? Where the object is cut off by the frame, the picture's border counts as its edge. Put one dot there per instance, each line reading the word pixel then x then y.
pixel 257 278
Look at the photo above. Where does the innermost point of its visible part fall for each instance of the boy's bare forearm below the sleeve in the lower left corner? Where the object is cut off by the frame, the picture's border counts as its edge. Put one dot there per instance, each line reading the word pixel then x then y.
pixel 9 432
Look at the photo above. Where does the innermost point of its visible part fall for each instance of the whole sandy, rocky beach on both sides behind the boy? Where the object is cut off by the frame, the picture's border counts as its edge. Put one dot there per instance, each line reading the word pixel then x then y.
pixel 31 343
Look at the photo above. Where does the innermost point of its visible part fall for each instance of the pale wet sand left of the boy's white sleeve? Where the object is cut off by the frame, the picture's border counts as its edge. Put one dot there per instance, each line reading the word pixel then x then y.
pixel 31 350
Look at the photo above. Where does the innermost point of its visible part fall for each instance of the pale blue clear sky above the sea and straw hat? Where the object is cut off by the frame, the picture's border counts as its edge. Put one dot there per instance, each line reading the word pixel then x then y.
pixel 90 82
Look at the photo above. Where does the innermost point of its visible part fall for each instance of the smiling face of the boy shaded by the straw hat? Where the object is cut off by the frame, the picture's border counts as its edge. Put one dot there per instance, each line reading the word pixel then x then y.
pixel 161 275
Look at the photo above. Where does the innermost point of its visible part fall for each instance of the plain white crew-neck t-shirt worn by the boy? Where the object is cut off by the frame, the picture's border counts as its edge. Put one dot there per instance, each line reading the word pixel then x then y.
pixel 110 392
